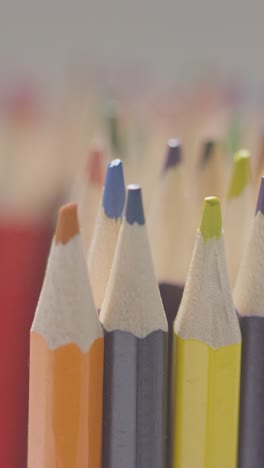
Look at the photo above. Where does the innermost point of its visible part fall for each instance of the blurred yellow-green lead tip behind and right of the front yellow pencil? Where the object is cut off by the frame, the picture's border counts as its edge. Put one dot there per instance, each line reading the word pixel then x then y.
pixel 240 177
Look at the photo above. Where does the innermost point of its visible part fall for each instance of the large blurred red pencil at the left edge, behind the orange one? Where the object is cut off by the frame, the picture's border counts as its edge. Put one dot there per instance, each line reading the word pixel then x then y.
pixel 26 216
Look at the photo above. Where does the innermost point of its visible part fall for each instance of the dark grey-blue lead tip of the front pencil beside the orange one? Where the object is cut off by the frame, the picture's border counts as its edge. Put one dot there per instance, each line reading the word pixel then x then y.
pixel 134 207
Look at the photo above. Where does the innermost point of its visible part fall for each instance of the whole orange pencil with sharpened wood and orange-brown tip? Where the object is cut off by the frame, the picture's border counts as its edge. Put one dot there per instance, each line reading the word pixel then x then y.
pixel 66 360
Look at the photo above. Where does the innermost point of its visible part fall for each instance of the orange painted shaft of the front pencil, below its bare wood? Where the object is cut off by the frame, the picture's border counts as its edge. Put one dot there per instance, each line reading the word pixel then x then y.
pixel 65 395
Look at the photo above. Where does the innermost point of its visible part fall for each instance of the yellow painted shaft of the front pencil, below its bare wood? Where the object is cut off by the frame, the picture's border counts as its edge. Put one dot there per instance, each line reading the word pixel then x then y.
pixel 206 404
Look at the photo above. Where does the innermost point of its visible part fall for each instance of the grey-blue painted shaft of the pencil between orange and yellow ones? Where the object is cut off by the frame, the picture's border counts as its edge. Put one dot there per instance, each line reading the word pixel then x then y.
pixel 134 400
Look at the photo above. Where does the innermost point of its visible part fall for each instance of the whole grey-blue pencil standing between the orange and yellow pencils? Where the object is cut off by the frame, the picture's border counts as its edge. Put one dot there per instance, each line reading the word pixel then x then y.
pixel 135 370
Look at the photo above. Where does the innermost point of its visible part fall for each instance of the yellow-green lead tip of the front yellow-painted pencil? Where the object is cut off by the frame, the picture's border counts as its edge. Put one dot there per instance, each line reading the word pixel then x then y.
pixel 211 221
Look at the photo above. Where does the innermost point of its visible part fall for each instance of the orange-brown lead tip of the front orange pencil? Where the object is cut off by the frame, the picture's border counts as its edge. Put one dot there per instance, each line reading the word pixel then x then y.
pixel 67 224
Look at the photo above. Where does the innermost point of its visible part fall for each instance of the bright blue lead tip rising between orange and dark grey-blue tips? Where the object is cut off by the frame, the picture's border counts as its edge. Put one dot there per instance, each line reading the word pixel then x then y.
pixel 114 191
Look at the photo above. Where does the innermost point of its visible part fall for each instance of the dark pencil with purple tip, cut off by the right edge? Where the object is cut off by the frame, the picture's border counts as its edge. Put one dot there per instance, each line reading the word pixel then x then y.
pixel 249 301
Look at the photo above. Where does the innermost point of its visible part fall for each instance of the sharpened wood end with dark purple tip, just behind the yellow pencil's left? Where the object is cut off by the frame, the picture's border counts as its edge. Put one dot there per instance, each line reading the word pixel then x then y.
pixel 167 220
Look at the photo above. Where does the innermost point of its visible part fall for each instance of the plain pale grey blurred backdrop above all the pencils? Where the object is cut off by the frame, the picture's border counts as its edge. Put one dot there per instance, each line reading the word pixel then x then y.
pixel 166 41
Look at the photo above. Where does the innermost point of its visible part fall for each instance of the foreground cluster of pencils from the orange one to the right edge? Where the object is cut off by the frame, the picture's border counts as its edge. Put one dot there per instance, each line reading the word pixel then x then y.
pixel 135 363
